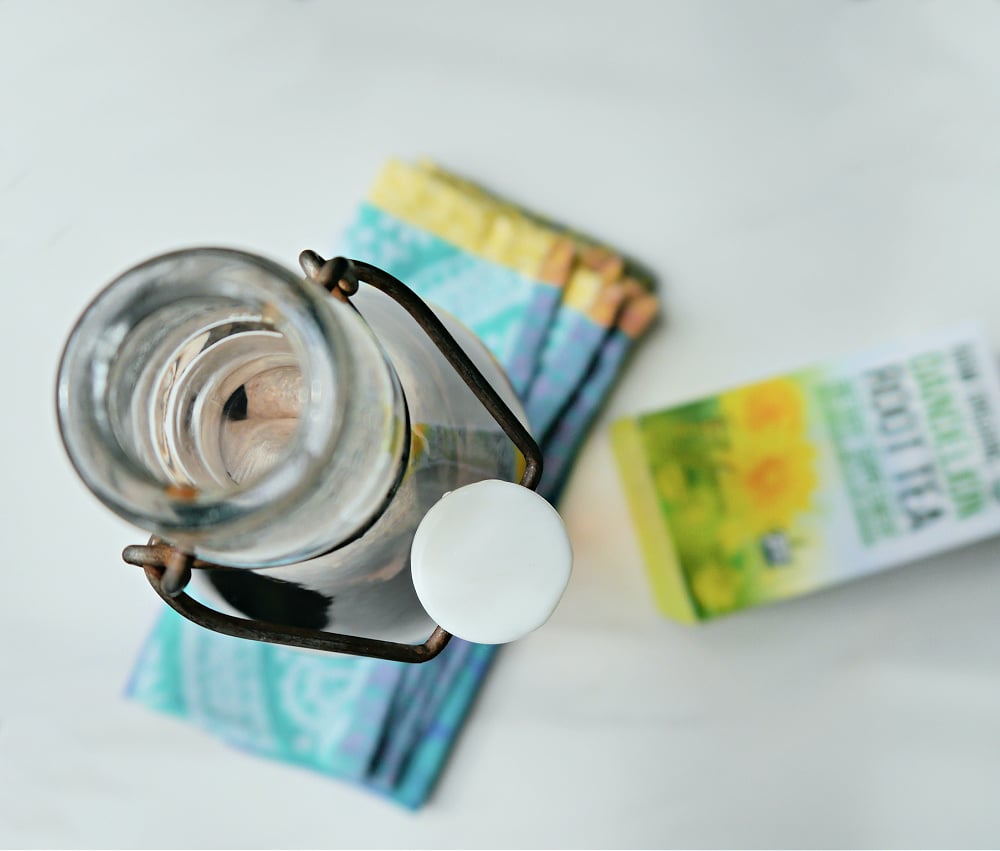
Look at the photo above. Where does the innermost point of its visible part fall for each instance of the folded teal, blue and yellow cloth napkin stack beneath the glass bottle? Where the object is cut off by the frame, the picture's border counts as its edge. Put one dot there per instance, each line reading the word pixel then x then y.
pixel 386 725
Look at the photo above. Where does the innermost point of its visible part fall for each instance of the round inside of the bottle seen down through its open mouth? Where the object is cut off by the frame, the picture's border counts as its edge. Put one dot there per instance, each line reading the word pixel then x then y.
pixel 206 395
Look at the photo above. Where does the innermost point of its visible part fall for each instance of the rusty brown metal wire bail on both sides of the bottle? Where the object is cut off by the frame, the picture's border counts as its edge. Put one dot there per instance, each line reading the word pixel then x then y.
pixel 168 570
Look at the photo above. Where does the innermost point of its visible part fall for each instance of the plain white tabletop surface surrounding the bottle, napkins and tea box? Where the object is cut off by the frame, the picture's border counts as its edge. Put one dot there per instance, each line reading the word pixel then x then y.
pixel 808 179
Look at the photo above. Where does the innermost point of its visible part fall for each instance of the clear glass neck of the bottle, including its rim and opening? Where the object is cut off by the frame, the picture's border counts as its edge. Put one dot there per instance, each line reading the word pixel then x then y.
pixel 215 399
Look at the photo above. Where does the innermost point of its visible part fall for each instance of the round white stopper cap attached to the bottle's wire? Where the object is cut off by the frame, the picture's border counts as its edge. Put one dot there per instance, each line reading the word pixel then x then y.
pixel 490 561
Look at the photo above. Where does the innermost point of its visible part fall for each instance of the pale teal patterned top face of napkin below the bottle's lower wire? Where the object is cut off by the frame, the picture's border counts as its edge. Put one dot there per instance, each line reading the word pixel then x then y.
pixel 322 712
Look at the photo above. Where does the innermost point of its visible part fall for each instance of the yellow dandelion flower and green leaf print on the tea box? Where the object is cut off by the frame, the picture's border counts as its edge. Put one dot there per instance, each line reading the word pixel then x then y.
pixel 734 474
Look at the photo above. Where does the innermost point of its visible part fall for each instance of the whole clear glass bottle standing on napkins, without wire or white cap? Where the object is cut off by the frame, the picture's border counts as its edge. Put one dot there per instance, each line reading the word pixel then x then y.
pixel 246 416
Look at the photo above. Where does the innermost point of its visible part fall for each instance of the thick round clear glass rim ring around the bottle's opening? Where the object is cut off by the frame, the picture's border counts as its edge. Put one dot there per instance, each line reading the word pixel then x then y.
pixel 297 309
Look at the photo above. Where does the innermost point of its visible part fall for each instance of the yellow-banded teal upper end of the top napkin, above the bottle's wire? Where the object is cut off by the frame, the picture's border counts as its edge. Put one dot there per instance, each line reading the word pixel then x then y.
pixel 487 263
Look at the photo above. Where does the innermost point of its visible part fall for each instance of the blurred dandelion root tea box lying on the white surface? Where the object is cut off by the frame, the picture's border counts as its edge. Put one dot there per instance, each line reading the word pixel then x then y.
pixel 785 486
